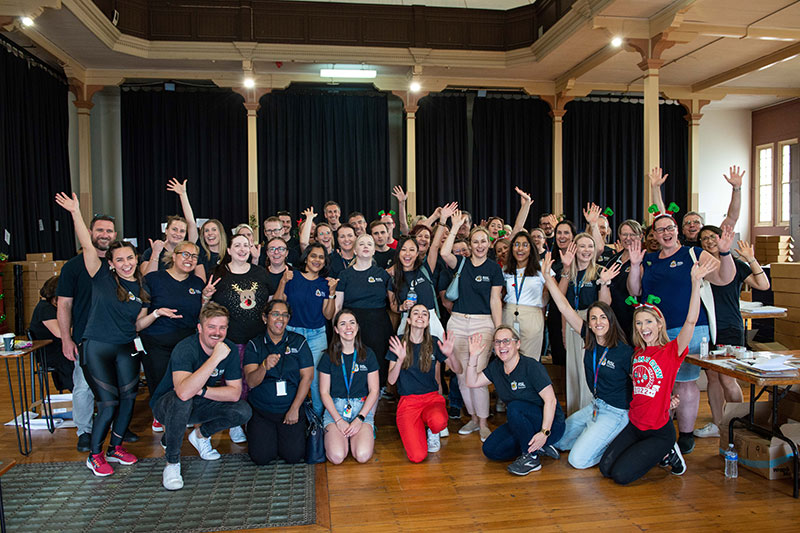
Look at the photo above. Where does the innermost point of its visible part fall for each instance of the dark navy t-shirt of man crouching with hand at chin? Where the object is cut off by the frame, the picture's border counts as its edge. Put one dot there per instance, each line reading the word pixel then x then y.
pixel 188 356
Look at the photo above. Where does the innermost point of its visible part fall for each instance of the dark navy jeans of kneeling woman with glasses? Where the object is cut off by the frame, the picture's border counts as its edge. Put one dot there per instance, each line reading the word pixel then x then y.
pixel 510 440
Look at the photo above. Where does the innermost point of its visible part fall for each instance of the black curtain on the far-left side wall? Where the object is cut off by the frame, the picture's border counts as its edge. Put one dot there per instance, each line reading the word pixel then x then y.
pixel 34 157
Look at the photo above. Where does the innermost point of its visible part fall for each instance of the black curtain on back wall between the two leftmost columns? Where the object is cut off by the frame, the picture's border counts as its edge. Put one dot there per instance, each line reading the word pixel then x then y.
pixel 199 135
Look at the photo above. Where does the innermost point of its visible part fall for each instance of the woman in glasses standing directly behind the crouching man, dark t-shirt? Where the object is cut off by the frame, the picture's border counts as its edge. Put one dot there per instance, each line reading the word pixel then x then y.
pixel 177 288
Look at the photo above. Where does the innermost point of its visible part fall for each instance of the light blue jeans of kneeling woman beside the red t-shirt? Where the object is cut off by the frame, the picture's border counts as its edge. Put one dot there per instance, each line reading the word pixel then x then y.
pixel 588 438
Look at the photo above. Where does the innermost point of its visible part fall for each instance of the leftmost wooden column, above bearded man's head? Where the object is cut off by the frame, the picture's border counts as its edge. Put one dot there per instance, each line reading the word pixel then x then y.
pixel 83 102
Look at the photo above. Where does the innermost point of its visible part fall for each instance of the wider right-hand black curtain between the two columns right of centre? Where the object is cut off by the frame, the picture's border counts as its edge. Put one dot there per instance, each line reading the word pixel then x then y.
pixel 512 146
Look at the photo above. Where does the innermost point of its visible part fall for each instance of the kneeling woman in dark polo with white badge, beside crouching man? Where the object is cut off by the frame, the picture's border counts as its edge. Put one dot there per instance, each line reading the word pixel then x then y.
pixel 278 367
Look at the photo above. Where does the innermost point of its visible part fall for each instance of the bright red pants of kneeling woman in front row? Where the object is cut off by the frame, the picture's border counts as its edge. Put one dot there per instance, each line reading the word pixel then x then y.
pixel 414 412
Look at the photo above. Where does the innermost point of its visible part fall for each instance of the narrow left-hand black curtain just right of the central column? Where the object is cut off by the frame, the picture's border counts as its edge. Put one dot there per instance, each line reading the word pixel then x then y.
pixel 442 152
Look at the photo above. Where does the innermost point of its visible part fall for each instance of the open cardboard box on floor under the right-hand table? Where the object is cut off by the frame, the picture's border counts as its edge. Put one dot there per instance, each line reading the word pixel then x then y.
pixel 771 459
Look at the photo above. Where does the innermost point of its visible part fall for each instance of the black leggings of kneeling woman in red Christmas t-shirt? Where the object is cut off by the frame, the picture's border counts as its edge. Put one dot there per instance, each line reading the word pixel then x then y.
pixel 634 452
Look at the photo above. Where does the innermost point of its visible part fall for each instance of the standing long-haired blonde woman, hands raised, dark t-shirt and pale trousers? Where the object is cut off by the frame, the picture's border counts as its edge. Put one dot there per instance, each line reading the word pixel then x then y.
pixel 583 283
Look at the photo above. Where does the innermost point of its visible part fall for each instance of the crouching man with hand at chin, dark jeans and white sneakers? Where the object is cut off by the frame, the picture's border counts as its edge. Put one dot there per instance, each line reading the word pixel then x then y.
pixel 201 387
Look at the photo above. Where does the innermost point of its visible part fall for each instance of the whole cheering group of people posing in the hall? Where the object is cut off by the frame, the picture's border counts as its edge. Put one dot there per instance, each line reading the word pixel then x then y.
pixel 234 334
